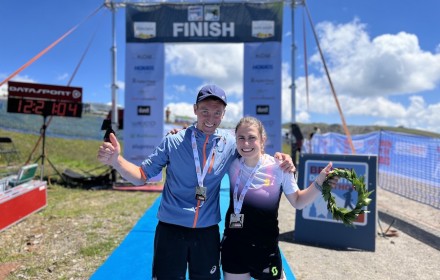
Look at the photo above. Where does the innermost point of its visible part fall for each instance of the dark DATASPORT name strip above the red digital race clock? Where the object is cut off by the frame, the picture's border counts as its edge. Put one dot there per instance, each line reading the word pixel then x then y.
pixel 42 91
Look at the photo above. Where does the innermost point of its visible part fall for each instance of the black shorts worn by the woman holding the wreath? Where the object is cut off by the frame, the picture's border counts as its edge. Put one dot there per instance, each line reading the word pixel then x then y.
pixel 239 255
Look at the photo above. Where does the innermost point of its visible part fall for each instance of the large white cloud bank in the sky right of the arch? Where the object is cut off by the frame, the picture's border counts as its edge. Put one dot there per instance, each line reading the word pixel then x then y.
pixel 367 72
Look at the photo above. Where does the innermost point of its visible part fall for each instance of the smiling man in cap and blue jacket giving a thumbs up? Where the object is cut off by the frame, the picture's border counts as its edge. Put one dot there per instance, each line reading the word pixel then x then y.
pixel 187 235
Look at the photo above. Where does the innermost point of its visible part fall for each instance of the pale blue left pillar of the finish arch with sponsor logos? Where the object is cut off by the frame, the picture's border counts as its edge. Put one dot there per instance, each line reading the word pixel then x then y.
pixel 144 100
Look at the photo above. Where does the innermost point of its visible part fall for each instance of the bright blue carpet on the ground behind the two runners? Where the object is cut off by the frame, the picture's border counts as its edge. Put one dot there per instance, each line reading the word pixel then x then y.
pixel 133 258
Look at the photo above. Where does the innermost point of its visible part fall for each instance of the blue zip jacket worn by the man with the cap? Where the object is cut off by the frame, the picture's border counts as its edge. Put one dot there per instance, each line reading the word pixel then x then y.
pixel 179 205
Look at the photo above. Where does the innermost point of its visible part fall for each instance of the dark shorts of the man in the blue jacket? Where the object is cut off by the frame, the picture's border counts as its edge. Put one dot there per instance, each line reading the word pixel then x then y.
pixel 177 247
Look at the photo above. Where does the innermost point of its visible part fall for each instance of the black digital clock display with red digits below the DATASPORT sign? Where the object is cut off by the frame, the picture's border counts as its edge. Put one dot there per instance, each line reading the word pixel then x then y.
pixel 44 107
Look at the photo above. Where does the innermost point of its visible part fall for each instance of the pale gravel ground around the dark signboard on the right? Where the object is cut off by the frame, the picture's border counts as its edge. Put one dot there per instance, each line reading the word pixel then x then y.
pixel 397 257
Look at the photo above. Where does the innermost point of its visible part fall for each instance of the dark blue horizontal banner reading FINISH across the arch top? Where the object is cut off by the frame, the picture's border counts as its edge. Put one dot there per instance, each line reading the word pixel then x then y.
pixel 204 22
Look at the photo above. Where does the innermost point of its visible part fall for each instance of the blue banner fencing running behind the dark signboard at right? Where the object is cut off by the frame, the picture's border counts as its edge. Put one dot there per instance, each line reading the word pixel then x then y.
pixel 395 151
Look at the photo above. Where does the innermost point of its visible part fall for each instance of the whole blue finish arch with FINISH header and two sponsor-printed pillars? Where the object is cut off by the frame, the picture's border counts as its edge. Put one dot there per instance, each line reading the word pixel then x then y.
pixel 149 26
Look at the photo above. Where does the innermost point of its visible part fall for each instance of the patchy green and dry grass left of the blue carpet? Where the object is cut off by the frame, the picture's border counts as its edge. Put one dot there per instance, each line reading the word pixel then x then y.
pixel 78 229
